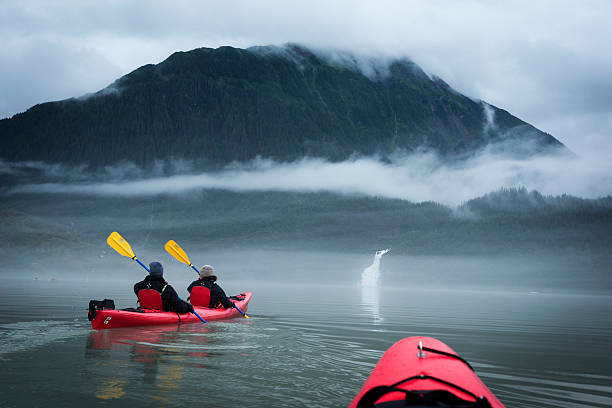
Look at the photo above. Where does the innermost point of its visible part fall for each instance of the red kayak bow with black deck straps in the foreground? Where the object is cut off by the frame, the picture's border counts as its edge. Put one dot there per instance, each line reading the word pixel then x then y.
pixel 430 375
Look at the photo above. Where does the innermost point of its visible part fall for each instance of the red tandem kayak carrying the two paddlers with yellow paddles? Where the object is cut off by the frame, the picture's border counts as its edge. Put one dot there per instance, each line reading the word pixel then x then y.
pixel 112 318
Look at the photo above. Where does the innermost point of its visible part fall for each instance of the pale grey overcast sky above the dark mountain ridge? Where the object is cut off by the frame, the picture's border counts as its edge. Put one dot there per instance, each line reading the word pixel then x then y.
pixel 548 62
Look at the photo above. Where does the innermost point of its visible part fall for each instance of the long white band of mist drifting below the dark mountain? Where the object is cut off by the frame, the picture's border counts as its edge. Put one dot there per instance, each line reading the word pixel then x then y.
pixel 415 177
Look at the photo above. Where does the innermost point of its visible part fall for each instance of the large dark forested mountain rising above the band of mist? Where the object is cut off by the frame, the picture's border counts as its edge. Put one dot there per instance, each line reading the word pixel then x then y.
pixel 215 106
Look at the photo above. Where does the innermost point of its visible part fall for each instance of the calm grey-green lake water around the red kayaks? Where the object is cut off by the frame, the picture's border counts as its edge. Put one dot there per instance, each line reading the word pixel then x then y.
pixel 311 341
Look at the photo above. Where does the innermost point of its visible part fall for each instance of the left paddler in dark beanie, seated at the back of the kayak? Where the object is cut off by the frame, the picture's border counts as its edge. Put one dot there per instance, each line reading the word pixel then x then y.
pixel 155 293
